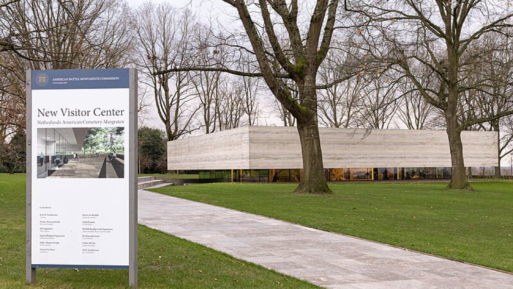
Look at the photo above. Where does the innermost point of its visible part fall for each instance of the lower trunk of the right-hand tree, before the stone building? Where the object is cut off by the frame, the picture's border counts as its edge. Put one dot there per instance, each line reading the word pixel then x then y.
pixel 458 176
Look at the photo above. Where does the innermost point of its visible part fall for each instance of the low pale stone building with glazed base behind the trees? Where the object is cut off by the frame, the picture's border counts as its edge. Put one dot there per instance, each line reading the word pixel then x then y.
pixel 273 154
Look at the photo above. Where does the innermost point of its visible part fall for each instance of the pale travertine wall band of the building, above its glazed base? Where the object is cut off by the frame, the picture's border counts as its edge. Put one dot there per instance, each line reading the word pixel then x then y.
pixel 279 148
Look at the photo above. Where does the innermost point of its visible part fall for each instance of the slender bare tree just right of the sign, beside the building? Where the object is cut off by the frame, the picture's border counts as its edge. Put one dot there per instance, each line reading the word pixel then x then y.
pixel 164 35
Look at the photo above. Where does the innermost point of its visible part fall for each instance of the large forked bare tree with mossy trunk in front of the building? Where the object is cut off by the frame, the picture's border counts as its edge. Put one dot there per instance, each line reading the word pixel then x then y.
pixel 308 50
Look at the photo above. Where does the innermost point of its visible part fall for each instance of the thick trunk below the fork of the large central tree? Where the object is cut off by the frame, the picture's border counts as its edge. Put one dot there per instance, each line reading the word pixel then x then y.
pixel 313 180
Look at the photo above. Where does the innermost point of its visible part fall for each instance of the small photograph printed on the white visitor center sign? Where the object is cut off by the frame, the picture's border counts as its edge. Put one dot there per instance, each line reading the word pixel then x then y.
pixel 93 152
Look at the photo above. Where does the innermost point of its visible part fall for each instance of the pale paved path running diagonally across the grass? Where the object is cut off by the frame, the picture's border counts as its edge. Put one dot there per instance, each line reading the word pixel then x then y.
pixel 325 259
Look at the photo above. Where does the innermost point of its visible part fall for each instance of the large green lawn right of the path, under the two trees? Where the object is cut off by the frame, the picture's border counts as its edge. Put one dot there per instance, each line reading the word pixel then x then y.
pixel 475 227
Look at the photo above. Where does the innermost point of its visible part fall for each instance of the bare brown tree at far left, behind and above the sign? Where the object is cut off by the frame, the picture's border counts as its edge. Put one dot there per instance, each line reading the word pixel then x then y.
pixel 41 34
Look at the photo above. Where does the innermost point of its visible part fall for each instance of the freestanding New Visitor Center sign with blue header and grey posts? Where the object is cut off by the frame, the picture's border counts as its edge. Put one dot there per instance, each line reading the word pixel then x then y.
pixel 81 170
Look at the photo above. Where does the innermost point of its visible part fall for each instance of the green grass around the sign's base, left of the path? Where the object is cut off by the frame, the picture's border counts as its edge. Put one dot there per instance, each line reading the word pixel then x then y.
pixel 164 261
